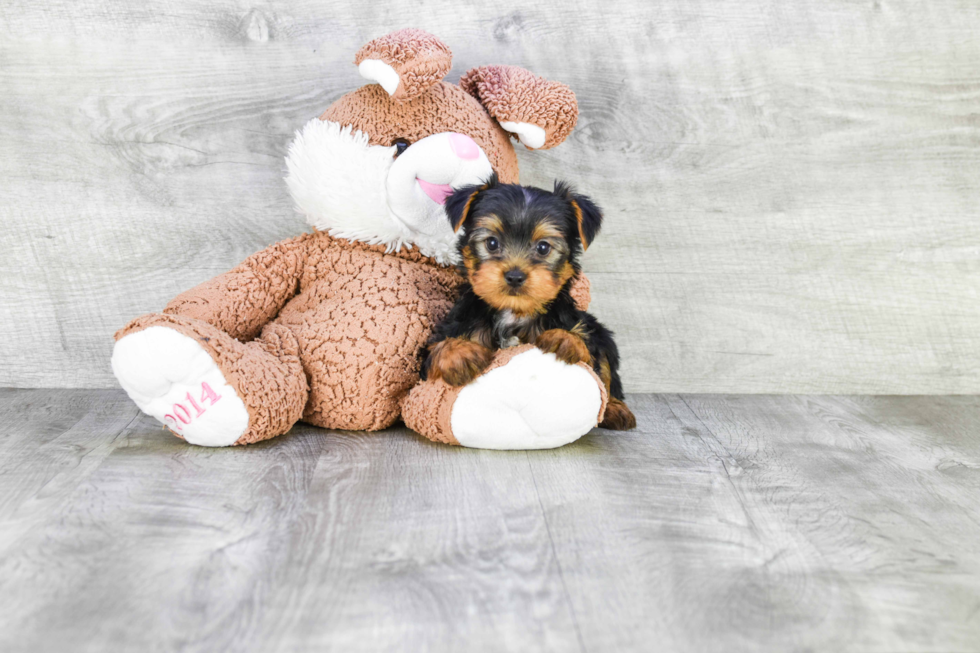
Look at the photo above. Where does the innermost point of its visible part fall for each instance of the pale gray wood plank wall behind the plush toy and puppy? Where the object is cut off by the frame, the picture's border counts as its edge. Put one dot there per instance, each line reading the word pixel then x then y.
pixel 791 188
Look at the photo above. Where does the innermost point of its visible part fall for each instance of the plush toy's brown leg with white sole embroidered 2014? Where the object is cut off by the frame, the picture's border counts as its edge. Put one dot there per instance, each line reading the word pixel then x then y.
pixel 207 387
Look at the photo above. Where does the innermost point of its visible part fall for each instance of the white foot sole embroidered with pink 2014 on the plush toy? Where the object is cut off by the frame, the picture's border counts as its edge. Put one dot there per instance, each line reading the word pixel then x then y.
pixel 172 378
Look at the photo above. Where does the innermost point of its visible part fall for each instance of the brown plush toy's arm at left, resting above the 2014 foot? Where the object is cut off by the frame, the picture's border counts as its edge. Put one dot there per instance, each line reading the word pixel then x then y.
pixel 240 302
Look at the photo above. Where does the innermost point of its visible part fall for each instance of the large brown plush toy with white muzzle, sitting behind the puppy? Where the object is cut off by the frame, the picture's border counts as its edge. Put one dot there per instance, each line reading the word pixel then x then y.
pixel 327 327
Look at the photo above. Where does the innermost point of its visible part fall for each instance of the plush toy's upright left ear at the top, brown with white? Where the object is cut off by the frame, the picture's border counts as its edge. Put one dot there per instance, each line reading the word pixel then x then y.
pixel 405 63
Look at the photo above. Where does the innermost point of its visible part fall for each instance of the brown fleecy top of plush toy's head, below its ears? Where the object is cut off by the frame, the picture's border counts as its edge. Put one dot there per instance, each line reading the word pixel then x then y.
pixel 444 108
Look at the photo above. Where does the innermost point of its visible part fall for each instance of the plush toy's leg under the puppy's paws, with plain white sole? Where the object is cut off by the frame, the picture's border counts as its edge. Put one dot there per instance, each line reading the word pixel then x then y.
pixel 526 399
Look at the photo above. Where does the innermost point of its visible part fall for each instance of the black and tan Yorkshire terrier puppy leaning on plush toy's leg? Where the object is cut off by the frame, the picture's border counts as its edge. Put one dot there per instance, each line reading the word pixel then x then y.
pixel 520 254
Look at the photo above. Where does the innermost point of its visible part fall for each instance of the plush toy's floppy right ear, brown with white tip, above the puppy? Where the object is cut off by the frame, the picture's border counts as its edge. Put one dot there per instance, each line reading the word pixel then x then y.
pixel 541 113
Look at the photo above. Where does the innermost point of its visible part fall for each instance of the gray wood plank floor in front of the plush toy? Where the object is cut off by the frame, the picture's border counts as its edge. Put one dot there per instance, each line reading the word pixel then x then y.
pixel 724 523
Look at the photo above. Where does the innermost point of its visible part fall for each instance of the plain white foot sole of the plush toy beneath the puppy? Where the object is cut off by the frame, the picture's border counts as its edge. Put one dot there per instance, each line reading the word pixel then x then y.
pixel 534 401
